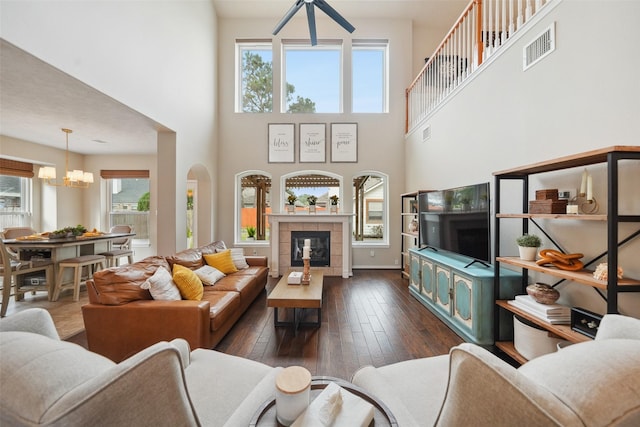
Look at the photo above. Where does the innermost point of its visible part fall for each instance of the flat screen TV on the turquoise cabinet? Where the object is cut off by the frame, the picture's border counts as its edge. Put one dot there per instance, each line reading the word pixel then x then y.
pixel 457 220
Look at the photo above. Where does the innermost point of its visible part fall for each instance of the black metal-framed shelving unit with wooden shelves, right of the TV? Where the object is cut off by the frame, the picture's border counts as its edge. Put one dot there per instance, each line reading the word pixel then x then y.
pixel 609 288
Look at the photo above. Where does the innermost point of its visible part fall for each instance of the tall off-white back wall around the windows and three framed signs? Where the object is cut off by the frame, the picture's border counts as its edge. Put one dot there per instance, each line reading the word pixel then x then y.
pixel 243 137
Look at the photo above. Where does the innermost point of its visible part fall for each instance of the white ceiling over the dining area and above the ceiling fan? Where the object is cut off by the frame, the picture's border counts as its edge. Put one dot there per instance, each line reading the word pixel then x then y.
pixel 37 100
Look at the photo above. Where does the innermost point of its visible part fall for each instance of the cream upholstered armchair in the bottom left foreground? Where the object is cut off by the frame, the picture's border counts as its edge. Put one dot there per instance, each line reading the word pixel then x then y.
pixel 45 381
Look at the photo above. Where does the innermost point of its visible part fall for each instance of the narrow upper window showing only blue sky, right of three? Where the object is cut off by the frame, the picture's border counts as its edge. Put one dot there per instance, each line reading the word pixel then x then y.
pixel 369 77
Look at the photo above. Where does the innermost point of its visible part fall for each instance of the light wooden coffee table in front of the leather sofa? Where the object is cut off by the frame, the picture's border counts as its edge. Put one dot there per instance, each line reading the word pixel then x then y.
pixel 299 298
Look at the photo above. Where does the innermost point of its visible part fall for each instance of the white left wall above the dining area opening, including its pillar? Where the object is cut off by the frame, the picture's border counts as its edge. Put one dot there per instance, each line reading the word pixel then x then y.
pixel 158 58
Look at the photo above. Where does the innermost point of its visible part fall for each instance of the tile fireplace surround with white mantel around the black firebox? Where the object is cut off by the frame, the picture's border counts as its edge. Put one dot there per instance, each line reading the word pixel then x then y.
pixel 338 224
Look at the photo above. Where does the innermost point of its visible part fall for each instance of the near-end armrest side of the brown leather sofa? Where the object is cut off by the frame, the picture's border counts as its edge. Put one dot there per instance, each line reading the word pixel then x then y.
pixel 118 332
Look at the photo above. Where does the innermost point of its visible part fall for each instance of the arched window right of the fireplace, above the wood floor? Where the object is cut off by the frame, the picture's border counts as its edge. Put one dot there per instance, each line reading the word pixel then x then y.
pixel 370 206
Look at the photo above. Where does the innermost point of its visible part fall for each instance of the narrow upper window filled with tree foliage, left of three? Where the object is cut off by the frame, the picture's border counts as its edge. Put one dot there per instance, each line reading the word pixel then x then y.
pixel 254 77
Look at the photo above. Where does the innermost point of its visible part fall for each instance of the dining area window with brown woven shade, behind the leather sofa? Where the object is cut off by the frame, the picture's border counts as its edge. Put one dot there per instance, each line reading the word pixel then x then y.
pixel 128 201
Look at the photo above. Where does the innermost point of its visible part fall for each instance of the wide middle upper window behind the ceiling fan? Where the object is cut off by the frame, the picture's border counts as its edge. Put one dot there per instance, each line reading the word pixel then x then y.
pixel 312 78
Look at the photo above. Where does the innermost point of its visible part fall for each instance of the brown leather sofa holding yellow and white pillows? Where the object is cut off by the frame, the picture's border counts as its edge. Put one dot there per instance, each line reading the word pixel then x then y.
pixel 122 318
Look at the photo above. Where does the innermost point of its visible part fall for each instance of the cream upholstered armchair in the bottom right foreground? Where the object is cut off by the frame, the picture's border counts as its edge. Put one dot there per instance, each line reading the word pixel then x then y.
pixel 595 383
